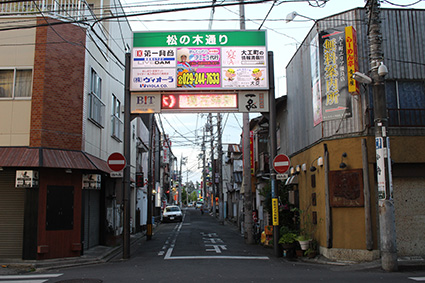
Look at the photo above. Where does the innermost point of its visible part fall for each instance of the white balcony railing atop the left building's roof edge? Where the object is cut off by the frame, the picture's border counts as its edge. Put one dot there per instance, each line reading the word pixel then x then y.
pixel 64 9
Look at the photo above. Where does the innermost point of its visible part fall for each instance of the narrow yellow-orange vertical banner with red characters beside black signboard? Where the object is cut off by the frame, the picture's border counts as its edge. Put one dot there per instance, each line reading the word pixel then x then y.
pixel 352 59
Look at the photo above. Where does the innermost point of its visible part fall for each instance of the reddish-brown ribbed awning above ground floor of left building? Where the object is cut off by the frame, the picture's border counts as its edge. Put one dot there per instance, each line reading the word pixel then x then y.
pixel 50 158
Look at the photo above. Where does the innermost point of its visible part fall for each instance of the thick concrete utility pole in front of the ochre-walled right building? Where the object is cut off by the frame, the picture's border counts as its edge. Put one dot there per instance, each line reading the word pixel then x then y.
pixel 383 161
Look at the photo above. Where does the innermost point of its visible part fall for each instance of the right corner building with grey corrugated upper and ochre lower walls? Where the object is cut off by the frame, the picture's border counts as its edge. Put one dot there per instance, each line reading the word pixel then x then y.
pixel 330 136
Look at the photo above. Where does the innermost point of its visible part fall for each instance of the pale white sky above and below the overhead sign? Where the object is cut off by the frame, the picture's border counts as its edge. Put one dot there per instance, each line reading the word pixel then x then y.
pixel 283 38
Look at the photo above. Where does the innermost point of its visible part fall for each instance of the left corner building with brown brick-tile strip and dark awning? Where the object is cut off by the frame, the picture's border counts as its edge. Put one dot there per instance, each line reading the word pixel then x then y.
pixel 62 94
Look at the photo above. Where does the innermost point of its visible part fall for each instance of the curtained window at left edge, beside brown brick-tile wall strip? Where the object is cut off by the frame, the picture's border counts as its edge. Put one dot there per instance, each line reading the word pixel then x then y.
pixel 15 83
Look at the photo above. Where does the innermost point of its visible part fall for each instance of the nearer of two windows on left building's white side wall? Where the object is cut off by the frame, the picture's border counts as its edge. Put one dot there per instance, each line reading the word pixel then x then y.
pixel 96 105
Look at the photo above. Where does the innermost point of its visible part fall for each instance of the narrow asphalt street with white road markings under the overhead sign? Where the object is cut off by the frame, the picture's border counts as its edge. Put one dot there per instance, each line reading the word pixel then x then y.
pixel 199 249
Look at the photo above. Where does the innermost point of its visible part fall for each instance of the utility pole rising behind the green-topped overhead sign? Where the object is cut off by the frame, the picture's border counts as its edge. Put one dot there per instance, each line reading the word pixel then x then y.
pixel 246 159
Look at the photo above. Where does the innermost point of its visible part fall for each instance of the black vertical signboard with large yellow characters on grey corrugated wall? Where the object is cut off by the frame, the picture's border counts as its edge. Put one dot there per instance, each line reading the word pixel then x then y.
pixel 336 99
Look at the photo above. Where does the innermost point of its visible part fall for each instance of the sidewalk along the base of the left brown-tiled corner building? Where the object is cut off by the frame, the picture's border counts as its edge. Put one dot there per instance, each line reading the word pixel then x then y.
pixel 95 255
